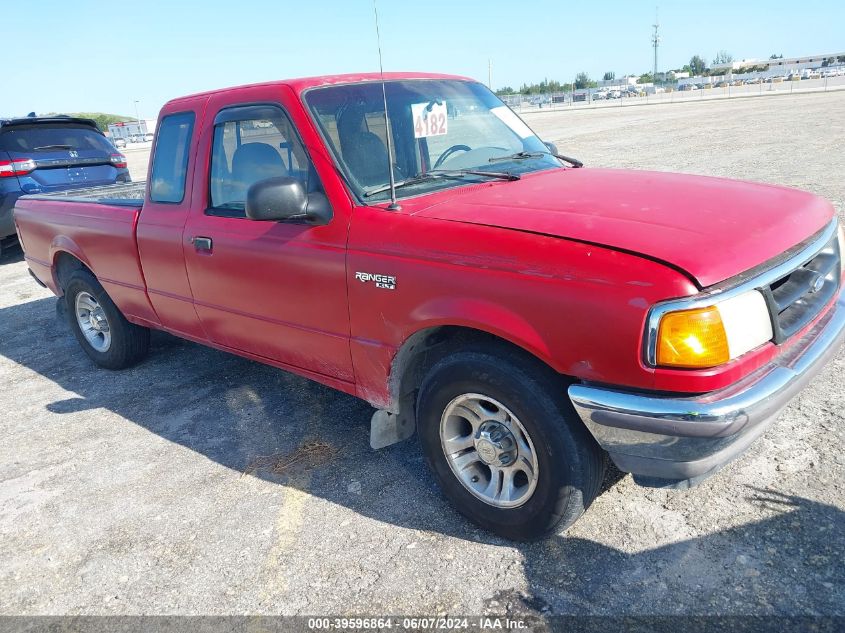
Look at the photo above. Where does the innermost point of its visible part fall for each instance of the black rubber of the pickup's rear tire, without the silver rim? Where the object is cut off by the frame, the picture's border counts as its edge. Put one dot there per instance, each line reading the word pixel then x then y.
pixel 129 343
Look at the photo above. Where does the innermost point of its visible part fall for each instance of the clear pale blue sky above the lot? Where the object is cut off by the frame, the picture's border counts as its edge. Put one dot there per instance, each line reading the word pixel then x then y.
pixel 98 56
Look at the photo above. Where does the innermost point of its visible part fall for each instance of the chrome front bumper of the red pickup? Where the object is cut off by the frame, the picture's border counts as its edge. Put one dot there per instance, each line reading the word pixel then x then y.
pixel 680 441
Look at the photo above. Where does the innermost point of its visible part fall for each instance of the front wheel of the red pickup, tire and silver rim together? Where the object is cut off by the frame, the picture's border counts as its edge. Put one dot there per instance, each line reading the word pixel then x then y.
pixel 504 444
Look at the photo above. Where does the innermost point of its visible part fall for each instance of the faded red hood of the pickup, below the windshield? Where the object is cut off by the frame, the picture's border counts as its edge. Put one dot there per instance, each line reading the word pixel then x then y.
pixel 712 228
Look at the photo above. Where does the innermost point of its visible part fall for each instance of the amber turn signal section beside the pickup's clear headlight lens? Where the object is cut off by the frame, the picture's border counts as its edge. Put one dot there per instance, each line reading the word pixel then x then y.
pixel 692 339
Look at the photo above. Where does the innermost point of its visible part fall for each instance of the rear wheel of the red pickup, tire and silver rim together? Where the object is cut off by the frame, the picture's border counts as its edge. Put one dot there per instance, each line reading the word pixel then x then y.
pixel 103 332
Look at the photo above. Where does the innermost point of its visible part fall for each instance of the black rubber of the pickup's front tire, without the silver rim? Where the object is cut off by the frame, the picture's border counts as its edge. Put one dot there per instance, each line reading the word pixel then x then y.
pixel 571 464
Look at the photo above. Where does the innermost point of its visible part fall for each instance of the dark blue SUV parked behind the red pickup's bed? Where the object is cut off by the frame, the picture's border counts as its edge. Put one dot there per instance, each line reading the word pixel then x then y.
pixel 43 154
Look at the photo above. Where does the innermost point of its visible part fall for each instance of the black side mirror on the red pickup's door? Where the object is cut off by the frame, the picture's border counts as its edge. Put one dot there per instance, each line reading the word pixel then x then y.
pixel 284 199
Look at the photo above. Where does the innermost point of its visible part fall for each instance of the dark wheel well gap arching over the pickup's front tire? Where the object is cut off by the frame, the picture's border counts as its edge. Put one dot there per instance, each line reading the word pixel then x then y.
pixel 426 348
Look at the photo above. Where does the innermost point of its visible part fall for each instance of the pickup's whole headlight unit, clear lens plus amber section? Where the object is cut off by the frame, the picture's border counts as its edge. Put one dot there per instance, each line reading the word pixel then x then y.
pixel 712 335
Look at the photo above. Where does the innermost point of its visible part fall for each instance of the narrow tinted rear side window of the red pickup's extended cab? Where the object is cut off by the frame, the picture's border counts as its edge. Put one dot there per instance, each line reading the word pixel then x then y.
pixel 170 163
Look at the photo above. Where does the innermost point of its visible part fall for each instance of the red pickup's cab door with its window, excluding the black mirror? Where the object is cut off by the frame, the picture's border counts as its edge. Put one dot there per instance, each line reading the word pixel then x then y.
pixel 273 290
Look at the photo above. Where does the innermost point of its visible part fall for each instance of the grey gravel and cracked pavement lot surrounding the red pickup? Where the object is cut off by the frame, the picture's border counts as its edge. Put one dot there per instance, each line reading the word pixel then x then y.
pixel 125 493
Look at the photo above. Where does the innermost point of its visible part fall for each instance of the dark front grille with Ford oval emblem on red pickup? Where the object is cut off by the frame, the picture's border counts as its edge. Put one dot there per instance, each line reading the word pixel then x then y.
pixel 797 298
